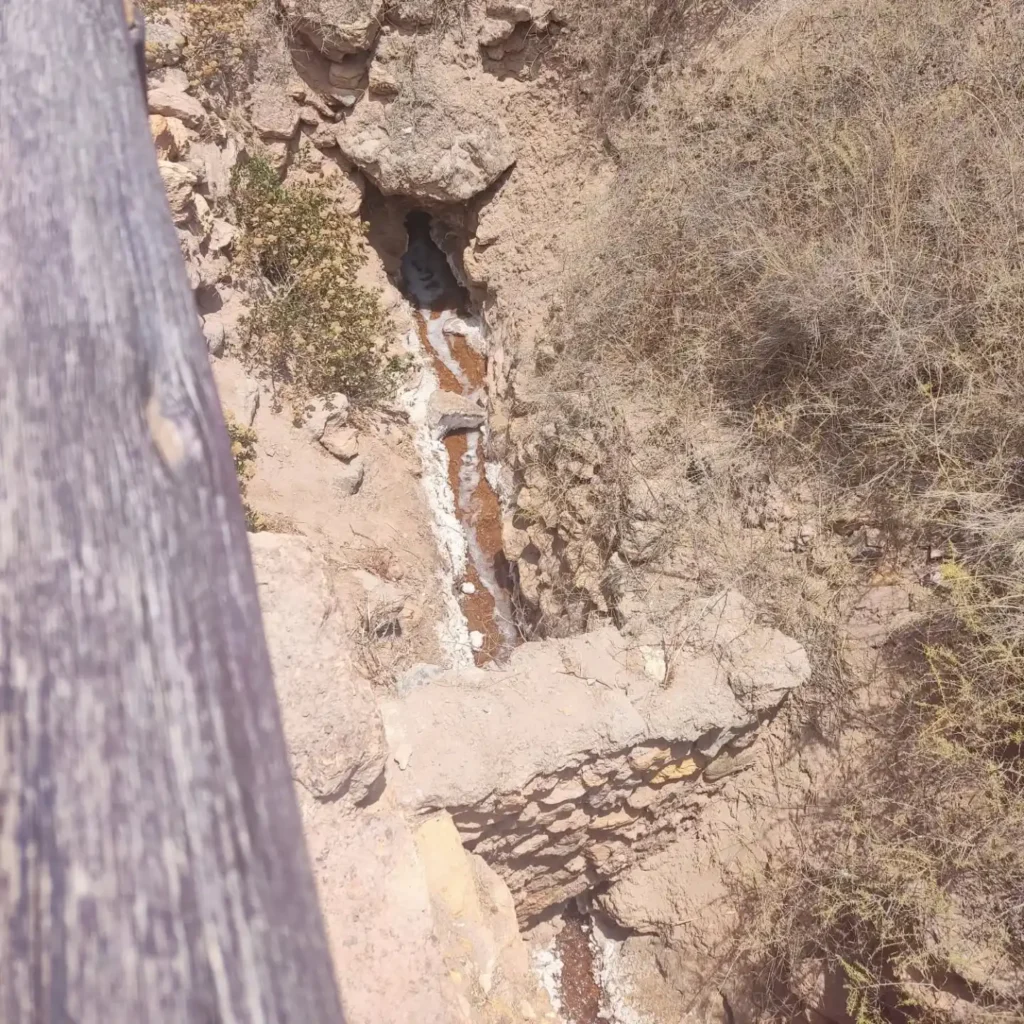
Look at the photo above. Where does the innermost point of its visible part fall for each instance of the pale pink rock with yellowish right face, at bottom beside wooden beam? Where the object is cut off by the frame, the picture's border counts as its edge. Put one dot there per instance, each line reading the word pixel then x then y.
pixel 420 929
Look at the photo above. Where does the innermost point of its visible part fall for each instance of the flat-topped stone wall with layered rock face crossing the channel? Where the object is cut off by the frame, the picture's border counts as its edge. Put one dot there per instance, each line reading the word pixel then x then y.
pixel 583 756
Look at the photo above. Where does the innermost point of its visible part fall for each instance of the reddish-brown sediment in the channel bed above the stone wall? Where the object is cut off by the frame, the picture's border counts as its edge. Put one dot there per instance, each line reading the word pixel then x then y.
pixel 479 514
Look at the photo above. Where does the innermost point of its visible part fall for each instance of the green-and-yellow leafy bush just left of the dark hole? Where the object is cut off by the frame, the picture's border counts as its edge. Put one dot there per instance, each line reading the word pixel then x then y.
pixel 313 329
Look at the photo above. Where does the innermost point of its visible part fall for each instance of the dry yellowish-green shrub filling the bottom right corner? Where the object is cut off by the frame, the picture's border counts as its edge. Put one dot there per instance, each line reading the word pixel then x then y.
pixel 910 886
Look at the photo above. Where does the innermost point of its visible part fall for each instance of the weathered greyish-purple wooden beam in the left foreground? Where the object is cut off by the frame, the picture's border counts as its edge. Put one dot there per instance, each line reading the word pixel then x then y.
pixel 152 862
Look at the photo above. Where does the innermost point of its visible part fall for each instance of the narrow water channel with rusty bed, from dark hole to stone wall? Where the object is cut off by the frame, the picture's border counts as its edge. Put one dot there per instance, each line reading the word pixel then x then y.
pixel 441 310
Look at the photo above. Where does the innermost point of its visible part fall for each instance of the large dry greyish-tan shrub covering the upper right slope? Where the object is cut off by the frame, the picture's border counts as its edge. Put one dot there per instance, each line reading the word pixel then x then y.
pixel 827 244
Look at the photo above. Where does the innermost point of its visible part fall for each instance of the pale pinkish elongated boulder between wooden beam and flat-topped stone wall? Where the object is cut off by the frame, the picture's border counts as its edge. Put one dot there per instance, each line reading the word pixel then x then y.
pixel 330 716
